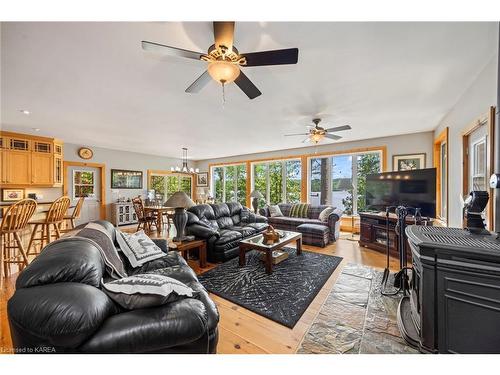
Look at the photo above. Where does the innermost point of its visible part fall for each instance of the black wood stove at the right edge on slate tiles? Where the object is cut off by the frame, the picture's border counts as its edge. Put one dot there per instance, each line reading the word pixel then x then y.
pixel 454 301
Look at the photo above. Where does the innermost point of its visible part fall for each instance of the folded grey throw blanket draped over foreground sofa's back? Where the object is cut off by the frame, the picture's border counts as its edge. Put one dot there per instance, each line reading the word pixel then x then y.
pixel 99 236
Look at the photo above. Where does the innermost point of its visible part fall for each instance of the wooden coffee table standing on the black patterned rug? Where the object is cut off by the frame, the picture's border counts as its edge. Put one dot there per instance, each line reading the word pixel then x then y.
pixel 257 243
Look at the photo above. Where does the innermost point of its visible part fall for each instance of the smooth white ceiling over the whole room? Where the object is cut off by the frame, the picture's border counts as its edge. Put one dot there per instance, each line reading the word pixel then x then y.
pixel 92 84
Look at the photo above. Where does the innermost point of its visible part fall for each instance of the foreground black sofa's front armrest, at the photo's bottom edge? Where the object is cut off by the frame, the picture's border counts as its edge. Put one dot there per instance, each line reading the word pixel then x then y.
pixel 152 329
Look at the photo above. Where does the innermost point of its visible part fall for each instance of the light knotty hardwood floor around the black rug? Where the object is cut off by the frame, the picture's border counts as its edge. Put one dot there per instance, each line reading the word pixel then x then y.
pixel 242 331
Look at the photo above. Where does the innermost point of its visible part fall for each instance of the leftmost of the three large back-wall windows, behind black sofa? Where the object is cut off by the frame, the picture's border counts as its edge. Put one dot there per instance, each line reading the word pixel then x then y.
pixel 229 183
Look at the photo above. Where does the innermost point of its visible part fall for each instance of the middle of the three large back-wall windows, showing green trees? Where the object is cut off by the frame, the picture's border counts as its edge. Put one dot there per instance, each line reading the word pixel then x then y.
pixel 278 181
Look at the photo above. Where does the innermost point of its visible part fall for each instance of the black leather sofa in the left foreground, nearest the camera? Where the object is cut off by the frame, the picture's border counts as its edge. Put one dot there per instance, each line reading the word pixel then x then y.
pixel 59 307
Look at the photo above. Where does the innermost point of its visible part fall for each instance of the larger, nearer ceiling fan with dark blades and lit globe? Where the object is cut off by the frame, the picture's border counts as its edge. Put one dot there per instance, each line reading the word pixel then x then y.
pixel 224 60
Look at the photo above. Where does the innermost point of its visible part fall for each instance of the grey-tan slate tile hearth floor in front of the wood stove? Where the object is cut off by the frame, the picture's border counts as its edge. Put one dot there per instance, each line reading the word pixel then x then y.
pixel 356 318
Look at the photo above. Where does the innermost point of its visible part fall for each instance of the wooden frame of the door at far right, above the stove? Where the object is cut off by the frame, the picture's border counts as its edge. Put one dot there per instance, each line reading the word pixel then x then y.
pixel 489 120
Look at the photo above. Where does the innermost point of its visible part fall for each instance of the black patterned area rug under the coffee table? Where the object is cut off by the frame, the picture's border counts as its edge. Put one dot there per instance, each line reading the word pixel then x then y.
pixel 282 296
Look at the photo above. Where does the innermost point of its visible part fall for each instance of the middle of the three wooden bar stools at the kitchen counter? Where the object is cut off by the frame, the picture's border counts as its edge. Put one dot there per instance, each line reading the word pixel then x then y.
pixel 55 216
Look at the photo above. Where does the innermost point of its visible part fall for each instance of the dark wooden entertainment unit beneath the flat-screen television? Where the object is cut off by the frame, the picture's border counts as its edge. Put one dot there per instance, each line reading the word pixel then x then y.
pixel 373 233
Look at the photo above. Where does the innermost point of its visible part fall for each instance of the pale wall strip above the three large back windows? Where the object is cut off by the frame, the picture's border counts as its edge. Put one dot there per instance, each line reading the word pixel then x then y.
pixel 399 144
